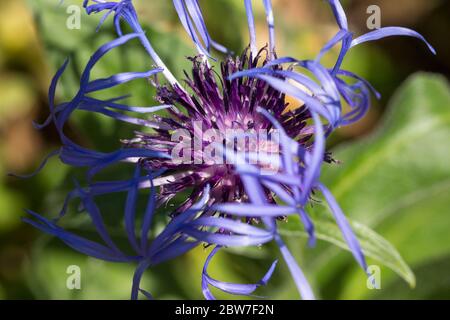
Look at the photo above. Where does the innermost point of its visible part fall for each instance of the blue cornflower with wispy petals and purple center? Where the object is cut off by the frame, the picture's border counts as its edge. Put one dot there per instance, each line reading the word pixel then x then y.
pixel 226 200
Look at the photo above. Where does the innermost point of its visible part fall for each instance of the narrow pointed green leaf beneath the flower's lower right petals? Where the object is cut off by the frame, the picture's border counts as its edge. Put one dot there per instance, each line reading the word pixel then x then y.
pixel 372 244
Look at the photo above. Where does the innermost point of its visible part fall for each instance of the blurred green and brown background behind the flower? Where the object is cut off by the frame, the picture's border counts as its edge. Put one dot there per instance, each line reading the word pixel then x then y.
pixel 403 196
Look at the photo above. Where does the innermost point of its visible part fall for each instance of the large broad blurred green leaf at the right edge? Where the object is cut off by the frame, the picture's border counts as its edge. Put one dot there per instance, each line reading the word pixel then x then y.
pixel 396 181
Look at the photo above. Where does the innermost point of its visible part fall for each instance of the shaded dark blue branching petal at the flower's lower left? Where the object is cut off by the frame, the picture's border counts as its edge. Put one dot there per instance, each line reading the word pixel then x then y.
pixel 173 243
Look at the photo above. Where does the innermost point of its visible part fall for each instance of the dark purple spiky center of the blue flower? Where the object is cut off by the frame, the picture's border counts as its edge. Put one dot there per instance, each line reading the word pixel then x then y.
pixel 214 102
